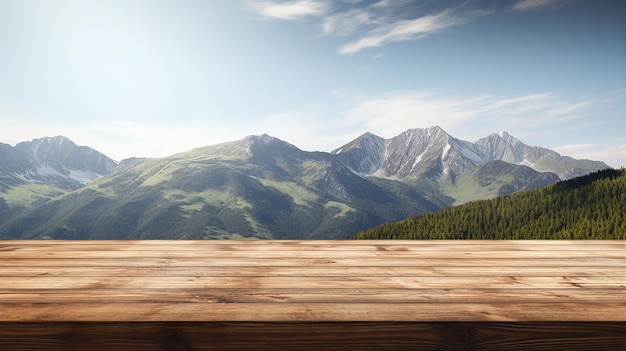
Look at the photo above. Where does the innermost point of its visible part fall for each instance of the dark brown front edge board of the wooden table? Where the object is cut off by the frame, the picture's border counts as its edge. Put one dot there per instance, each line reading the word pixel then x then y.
pixel 395 336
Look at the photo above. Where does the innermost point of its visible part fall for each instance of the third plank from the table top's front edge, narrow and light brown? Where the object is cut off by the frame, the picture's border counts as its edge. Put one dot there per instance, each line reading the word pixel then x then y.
pixel 359 282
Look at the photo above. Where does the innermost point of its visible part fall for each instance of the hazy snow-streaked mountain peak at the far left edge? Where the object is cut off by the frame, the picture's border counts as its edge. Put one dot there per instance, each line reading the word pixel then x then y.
pixel 55 160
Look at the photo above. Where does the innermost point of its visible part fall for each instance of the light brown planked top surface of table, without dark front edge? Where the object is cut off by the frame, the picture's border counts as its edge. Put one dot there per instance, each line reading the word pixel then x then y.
pixel 312 281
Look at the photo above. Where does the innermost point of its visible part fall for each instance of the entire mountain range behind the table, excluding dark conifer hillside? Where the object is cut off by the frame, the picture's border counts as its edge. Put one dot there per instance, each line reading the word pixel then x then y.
pixel 260 186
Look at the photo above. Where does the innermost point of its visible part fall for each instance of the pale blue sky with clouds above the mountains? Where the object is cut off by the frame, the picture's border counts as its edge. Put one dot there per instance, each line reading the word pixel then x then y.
pixel 153 77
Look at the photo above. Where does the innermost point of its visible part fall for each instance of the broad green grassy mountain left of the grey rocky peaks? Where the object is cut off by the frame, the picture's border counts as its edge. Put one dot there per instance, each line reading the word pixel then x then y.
pixel 259 187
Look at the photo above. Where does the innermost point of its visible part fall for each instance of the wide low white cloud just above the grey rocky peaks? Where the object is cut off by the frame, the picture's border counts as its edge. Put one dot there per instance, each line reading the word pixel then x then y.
pixel 390 114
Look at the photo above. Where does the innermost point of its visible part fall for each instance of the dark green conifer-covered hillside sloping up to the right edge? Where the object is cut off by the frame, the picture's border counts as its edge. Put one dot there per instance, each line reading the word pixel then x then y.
pixel 588 207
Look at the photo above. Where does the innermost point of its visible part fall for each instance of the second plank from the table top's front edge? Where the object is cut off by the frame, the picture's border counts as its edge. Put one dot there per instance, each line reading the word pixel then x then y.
pixel 323 295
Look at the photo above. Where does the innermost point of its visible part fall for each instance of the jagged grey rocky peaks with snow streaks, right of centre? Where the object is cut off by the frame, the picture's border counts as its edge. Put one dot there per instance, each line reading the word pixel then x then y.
pixel 433 153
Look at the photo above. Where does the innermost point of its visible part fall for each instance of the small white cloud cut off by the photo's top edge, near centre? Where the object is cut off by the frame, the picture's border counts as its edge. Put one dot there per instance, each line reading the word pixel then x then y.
pixel 291 10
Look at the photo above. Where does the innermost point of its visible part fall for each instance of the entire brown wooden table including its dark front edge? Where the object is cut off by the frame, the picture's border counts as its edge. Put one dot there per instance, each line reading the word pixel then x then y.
pixel 378 295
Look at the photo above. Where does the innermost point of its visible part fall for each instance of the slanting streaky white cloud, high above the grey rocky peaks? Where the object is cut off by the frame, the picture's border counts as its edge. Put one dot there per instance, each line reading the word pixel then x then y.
pixel 405 30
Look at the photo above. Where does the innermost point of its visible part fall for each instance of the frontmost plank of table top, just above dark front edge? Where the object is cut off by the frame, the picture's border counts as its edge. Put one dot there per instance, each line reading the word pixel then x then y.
pixel 321 312
